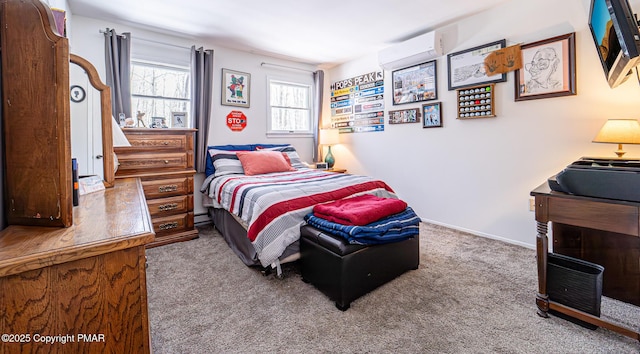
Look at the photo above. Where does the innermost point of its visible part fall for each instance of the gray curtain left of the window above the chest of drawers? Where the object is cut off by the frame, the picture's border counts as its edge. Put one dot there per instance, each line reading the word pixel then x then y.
pixel 118 63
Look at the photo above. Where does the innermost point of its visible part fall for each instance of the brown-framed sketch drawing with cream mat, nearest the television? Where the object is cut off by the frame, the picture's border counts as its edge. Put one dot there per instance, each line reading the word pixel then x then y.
pixel 549 69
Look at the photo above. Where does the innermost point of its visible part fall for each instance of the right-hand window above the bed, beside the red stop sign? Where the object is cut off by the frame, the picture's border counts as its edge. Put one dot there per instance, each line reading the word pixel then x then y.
pixel 289 108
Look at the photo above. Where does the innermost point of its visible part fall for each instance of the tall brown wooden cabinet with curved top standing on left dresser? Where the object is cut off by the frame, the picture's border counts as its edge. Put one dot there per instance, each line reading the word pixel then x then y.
pixel 35 115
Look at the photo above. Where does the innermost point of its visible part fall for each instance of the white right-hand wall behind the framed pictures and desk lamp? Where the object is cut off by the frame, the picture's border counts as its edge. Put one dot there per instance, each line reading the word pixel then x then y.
pixel 476 175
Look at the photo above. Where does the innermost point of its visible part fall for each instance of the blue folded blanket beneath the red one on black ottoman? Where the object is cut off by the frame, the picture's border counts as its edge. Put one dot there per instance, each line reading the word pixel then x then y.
pixel 397 227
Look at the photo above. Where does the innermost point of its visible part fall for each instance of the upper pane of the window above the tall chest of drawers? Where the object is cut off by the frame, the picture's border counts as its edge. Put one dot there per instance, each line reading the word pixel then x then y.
pixel 159 81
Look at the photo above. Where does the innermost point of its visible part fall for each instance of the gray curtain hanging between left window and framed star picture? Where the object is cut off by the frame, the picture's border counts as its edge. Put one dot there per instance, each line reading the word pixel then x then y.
pixel 201 94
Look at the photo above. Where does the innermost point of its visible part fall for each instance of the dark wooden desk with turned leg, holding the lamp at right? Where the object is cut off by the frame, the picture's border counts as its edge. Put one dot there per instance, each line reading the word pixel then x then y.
pixel 597 230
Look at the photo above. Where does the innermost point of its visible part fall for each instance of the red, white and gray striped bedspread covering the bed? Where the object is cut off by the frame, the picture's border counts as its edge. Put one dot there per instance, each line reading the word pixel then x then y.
pixel 274 205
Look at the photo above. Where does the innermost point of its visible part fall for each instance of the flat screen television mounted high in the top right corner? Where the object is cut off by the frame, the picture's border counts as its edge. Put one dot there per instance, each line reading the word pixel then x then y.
pixel 615 32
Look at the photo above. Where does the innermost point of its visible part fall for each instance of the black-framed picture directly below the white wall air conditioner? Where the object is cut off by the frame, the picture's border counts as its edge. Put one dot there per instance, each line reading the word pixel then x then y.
pixel 415 83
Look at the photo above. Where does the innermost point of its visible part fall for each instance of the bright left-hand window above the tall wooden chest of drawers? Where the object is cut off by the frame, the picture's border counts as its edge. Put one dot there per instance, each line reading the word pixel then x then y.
pixel 157 90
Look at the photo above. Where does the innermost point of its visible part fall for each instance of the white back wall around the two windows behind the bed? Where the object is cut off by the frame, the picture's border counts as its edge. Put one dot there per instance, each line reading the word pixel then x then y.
pixel 88 42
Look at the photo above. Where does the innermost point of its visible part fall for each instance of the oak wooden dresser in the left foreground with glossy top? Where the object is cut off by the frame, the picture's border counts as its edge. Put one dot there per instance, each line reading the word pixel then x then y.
pixel 84 286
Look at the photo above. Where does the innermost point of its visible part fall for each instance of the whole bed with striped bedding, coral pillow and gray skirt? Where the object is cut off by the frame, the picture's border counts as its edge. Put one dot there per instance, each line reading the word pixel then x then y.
pixel 259 214
